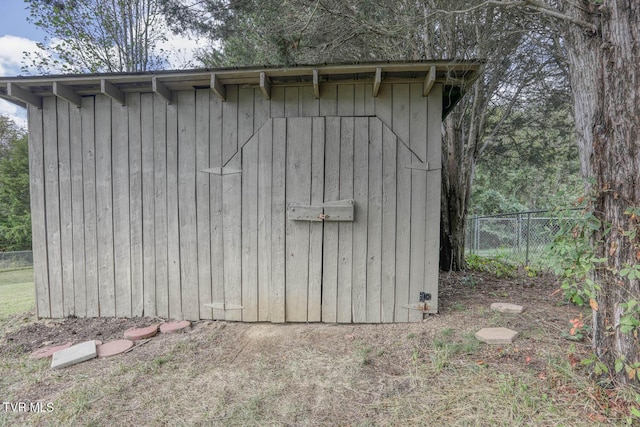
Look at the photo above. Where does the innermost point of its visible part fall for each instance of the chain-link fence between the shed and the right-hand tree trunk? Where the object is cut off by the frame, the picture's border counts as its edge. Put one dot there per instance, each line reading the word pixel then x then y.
pixel 520 237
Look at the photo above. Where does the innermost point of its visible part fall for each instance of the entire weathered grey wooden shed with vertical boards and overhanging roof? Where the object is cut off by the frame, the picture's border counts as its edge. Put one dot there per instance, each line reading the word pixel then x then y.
pixel 297 194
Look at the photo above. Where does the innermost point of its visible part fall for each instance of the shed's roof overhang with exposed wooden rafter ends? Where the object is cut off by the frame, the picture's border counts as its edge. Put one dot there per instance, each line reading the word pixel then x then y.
pixel 455 77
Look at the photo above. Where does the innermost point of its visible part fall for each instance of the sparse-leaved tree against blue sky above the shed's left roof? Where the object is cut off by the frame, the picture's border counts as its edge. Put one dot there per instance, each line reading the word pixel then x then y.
pixel 97 36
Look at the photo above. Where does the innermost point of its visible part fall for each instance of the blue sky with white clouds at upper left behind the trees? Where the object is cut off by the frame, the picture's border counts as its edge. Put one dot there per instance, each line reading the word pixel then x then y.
pixel 18 36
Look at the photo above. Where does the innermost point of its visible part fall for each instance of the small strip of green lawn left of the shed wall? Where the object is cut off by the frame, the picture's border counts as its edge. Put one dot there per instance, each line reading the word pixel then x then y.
pixel 16 291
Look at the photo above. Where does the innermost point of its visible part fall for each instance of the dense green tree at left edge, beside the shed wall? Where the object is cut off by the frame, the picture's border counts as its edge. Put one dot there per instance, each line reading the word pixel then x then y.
pixel 15 215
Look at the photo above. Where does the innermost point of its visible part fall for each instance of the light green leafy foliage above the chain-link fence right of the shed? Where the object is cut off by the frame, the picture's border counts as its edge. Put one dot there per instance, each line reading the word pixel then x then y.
pixel 532 164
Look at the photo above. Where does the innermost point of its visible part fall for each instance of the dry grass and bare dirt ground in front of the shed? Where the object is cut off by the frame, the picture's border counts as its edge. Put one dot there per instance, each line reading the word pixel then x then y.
pixel 224 373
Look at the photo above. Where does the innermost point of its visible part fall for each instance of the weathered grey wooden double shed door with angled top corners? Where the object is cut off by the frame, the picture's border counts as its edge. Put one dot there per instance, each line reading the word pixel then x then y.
pixel 367 266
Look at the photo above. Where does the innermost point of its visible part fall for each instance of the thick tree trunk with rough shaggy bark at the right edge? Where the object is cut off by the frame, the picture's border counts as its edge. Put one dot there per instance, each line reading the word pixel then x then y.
pixel 606 83
